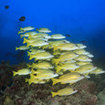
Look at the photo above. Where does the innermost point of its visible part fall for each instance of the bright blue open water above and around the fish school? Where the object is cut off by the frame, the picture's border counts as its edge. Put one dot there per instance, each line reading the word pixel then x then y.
pixel 84 20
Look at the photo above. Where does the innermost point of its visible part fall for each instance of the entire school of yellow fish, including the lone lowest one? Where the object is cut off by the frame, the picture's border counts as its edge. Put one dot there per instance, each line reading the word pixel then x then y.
pixel 55 59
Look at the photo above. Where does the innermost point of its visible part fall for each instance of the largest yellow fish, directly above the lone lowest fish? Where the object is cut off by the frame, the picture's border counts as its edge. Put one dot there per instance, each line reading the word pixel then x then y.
pixel 68 78
